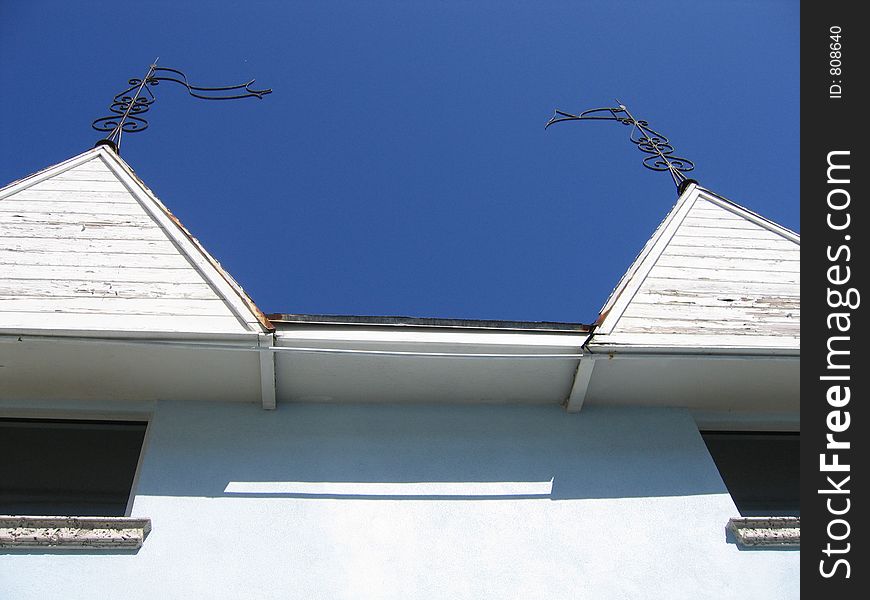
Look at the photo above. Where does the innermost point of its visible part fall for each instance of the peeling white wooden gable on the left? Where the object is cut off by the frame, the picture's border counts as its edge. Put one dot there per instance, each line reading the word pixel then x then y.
pixel 86 247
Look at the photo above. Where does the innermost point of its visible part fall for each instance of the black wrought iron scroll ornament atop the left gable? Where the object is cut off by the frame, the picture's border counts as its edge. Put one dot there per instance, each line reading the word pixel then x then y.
pixel 129 105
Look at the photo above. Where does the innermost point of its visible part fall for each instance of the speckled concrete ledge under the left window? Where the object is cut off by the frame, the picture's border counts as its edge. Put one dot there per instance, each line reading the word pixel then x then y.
pixel 73 532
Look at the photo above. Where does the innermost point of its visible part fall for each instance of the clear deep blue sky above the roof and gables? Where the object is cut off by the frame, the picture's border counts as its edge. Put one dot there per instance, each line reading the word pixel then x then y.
pixel 401 165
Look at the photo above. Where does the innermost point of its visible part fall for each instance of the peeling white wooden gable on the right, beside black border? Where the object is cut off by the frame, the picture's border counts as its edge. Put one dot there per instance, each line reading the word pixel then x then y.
pixel 714 277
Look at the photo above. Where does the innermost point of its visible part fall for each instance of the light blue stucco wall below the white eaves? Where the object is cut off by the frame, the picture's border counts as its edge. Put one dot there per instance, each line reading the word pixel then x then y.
pixel 637 509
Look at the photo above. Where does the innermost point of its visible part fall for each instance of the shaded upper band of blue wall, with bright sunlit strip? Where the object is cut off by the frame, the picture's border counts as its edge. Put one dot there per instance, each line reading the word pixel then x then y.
pixel 423 452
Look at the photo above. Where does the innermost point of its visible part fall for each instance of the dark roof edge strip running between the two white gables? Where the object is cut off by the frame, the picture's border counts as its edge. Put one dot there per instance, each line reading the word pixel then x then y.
pixel 289 320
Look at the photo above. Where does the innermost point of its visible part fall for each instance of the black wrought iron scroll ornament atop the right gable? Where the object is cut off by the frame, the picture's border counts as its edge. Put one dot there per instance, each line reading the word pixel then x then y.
pixel 649 141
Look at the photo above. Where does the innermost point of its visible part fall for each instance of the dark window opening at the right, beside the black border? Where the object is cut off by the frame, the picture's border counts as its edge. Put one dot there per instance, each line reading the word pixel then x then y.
pixel 760 470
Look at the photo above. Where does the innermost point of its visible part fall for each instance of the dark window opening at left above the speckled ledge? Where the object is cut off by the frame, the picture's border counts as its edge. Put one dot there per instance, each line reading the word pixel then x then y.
pixel 68 468
